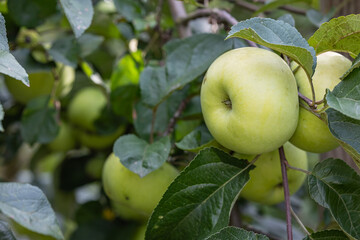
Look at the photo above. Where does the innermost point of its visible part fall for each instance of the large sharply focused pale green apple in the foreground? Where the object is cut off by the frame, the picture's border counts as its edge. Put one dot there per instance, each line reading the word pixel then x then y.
pixel 249 100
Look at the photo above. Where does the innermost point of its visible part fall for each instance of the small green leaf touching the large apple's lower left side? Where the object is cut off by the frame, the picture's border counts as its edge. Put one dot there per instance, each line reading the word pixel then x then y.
pixel 196 140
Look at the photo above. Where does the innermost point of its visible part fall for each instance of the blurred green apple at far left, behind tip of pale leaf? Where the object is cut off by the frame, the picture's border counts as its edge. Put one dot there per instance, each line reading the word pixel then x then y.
pixel 41 83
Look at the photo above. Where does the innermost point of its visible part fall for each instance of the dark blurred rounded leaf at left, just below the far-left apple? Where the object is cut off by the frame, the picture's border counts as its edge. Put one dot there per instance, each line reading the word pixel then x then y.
pixel 38 121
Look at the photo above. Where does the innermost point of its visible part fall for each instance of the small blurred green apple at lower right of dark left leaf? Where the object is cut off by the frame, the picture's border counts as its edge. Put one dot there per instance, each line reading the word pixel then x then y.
pixel 65 140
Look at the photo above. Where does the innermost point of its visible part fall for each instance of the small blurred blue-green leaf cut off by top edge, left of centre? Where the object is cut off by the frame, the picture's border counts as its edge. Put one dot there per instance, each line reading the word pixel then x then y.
pixel 130 9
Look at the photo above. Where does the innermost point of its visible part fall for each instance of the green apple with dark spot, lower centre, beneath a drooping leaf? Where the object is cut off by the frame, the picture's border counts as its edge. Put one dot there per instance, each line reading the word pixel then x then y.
pixel 141 195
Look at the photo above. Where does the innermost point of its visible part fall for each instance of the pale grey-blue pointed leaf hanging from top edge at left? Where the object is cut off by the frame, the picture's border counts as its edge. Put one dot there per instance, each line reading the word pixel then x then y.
pixel 79 13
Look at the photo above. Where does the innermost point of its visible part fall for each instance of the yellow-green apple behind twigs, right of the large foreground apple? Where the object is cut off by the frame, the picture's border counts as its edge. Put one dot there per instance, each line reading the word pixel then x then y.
pixel 312 134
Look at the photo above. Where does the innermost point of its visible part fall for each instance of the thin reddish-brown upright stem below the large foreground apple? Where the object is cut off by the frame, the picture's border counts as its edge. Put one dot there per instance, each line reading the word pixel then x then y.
pixel 286 193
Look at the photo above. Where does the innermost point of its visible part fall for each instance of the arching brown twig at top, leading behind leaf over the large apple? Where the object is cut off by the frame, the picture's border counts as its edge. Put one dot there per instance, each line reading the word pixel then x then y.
pixel 221 15
